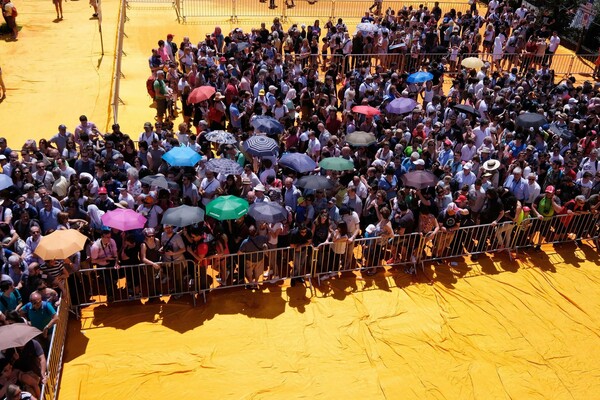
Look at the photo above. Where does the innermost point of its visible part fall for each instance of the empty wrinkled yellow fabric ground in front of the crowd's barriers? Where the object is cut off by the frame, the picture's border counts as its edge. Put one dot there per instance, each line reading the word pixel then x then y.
pixel 495 330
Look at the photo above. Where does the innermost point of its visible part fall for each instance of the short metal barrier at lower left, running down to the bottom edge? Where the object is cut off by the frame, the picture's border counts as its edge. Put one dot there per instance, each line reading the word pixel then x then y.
pixel 57 347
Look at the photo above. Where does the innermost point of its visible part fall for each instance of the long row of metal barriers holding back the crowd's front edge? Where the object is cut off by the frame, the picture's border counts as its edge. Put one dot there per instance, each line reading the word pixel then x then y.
pixel 222 271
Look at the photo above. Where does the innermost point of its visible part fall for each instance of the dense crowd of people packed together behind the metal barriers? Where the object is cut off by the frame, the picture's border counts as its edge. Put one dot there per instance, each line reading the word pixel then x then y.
pixel 489 167
